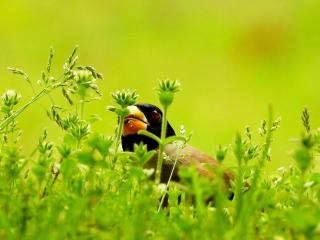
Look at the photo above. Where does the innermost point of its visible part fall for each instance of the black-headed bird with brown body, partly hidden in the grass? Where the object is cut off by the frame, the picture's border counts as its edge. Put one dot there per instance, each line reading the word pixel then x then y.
pixel 149 117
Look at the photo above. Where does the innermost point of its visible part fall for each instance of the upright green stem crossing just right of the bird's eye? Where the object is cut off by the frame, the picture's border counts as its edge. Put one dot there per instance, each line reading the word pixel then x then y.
pixel 161 145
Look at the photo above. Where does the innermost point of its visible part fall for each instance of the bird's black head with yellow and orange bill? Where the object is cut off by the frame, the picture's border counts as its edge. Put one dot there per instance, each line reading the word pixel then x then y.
pixel 143 117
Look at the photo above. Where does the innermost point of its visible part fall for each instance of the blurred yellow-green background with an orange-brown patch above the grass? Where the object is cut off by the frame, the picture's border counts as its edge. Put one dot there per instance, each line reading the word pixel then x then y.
pixel 233 58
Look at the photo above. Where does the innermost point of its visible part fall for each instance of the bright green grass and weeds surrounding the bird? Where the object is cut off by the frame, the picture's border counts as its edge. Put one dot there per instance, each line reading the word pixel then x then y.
pixel 85 187
